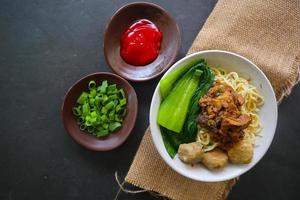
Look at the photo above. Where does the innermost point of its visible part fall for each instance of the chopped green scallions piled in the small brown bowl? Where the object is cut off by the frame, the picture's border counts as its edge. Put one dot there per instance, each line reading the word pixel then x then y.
pixel 100 110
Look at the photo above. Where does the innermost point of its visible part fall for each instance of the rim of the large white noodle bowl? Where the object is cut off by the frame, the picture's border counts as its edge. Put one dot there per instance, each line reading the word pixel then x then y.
pixel 156 142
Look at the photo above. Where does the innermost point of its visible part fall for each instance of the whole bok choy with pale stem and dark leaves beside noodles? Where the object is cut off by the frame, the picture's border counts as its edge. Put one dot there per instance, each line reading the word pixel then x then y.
pixel 179 108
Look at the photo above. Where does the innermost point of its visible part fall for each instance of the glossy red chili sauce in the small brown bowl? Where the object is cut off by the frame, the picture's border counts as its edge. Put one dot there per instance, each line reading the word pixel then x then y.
pixel 140 43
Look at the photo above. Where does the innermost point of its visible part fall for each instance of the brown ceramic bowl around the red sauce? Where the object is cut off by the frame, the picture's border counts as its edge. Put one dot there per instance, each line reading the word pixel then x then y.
pixel 119 23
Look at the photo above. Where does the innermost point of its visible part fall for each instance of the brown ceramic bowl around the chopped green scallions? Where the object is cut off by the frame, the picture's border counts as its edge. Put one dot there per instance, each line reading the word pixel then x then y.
pixel 114 139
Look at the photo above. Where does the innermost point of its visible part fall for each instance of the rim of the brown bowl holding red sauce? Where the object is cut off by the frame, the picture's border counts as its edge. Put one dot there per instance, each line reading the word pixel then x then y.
pixel 173 58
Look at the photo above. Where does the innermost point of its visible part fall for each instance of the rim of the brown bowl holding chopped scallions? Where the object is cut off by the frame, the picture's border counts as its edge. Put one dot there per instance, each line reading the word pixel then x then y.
pixel 78 141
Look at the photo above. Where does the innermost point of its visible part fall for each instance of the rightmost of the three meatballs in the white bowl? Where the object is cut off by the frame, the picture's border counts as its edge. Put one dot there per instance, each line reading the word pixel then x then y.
pixel 241 152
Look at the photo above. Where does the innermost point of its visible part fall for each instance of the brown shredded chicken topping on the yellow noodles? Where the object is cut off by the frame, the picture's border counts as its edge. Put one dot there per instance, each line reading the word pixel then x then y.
pixel 221 115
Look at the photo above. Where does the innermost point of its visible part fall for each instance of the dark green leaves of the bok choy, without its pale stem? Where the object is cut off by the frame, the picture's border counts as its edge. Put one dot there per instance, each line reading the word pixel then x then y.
pixel 188 133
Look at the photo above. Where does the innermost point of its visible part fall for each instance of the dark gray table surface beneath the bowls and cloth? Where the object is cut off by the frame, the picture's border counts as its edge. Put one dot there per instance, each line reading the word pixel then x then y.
pixel 45 46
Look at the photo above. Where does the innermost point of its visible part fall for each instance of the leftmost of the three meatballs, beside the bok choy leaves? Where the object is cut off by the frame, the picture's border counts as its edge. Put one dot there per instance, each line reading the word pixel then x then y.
pixel 190 153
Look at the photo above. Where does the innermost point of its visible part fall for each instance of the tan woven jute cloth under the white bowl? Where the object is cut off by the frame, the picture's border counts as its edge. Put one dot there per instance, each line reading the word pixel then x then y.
pixel 266 32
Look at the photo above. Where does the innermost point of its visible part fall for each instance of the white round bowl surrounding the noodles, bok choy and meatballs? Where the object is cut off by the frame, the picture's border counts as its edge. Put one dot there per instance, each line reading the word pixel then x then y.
pixel 268 114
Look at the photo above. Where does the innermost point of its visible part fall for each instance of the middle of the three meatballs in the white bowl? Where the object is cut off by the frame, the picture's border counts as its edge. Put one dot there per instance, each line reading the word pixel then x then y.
pixel 215 159
